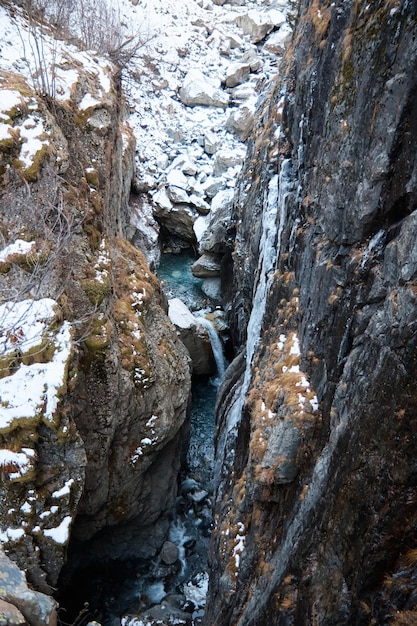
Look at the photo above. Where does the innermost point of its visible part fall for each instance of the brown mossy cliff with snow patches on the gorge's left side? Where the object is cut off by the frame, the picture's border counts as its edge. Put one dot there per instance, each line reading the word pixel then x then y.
pixel 94 383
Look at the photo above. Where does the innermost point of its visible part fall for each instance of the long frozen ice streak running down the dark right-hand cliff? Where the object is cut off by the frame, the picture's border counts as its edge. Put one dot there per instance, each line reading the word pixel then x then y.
pixel 273 222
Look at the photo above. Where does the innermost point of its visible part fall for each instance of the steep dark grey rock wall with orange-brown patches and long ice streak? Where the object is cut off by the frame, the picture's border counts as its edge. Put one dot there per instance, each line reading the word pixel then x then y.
pixel 316 509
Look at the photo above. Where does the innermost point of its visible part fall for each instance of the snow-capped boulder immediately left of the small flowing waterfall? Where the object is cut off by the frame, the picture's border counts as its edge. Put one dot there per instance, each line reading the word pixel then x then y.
pixel 194 336
